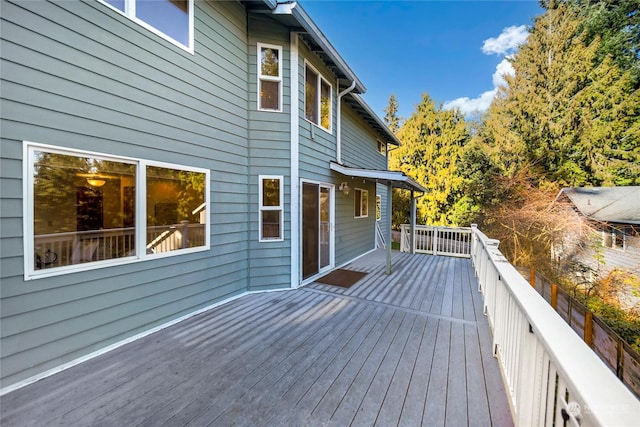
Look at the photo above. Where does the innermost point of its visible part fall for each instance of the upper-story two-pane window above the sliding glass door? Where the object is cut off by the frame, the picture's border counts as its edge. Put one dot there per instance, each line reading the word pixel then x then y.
pixel 317 99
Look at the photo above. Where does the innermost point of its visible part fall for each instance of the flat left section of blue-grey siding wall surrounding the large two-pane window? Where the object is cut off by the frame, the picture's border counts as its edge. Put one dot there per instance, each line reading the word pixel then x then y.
pixel 79 75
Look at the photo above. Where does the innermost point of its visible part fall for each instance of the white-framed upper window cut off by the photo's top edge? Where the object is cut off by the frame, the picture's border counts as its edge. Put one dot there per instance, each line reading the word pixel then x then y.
pixel 171 19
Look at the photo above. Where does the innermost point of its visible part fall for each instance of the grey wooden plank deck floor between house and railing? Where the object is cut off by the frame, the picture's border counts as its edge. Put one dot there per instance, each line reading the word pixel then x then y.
pixel 408 349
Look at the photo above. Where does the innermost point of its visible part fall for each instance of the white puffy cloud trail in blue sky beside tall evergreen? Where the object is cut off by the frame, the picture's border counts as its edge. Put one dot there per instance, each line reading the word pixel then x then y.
pixel 505 44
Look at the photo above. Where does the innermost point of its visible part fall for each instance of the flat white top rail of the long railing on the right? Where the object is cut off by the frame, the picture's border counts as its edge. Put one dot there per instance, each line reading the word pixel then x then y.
pixel 608 401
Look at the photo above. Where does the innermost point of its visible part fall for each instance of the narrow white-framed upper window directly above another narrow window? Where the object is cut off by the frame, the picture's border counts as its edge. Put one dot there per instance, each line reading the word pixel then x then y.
pixel 269 77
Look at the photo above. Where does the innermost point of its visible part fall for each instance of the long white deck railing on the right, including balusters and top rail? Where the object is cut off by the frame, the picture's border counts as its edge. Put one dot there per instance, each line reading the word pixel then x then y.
pixel 551 376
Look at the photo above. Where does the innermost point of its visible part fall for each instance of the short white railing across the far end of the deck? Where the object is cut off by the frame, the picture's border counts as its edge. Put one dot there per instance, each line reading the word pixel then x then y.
pixel 449 241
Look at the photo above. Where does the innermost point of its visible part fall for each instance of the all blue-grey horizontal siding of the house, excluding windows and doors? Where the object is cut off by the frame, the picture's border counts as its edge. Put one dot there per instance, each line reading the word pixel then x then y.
pixel 81 76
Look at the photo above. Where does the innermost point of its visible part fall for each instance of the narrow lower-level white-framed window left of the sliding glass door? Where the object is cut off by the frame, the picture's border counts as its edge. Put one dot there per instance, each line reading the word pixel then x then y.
pixel 271 208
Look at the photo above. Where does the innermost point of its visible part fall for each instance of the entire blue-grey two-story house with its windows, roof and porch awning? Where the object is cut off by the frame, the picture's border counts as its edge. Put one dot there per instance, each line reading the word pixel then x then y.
pixel 160 159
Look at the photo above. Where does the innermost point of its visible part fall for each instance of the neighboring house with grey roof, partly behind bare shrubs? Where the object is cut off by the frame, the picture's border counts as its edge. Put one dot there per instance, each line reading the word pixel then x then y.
pixel 609 230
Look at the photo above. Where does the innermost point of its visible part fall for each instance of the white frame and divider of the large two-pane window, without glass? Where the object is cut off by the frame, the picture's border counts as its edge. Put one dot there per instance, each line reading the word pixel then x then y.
pixel 31 273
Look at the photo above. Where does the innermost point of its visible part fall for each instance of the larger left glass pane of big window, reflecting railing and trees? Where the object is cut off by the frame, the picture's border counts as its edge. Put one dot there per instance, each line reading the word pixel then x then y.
pixel 84 209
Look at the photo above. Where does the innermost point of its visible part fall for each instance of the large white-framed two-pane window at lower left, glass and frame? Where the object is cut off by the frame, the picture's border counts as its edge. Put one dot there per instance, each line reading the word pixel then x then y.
pixel 88 208
